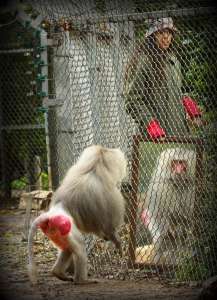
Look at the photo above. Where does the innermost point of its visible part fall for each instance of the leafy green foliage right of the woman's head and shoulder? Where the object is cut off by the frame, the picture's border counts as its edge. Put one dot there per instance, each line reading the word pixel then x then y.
pixel 196 47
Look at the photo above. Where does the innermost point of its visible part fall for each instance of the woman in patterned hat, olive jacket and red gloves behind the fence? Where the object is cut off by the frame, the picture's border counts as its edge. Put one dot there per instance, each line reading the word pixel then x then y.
pixel 153 85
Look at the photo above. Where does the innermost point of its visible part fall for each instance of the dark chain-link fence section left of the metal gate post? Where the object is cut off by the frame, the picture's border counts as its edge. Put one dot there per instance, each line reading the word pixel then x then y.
pixel 23 143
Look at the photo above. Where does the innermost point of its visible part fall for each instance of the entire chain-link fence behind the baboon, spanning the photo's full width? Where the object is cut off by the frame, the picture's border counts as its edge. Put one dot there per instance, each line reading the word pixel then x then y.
pixel 139 75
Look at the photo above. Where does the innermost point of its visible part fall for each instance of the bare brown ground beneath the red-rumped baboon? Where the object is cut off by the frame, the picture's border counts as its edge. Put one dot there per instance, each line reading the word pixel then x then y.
pixel 14 282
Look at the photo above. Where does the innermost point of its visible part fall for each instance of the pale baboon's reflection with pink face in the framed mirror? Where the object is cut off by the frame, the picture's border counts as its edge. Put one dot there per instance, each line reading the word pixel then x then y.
pixel 169 201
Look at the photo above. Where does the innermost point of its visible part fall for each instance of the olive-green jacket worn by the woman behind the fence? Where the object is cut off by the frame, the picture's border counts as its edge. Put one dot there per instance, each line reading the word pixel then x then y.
pixel 153 94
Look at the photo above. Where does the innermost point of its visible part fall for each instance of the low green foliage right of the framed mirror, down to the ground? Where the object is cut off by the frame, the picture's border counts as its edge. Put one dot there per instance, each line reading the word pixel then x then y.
pixel 203 263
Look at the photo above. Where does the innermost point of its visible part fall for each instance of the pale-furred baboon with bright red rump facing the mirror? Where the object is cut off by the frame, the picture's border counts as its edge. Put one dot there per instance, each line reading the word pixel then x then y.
pixel 87 201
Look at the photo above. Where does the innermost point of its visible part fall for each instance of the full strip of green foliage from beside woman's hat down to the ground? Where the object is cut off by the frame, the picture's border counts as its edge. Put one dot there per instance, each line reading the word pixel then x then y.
pixel 200 73
